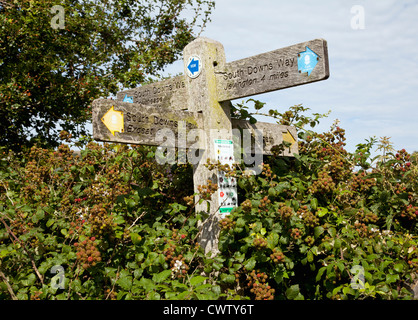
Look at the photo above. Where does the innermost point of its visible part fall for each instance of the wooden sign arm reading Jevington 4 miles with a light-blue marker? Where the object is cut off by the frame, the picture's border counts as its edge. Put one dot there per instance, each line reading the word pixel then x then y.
pixel 270 71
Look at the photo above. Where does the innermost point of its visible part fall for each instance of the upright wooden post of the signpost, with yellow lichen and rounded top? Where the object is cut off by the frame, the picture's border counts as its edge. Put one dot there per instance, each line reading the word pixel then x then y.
pixel 203 98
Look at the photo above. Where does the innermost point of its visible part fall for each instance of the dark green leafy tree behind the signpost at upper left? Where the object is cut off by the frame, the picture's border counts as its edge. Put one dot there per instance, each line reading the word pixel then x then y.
pixel 49 75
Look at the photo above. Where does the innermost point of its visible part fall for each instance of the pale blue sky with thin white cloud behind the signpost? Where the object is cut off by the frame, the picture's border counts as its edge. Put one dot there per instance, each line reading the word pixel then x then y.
pixel 373 84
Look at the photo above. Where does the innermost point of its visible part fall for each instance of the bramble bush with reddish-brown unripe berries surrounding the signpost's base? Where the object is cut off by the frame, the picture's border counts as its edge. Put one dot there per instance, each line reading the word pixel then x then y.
pixel 325 224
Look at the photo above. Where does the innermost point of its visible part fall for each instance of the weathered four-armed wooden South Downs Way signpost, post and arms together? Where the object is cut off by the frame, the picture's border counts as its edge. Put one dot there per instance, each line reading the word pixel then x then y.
pixel 200 101
